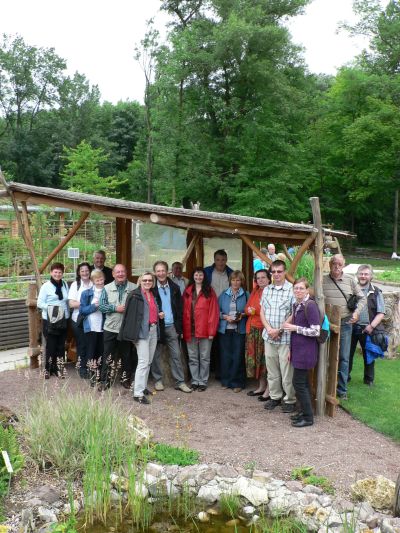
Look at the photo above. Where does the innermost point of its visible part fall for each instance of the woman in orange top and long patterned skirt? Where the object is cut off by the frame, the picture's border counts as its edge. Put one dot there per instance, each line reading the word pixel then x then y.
pixel 255 352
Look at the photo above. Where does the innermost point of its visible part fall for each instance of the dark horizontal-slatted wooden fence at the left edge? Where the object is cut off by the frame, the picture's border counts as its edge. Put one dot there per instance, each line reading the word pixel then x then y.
pixel 14 328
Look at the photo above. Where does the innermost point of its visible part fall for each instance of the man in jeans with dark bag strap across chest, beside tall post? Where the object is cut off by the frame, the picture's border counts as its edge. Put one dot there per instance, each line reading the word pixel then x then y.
pixel 338 287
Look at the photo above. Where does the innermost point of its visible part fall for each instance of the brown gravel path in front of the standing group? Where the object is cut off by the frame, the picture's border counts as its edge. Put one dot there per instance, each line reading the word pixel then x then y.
pixel 235 429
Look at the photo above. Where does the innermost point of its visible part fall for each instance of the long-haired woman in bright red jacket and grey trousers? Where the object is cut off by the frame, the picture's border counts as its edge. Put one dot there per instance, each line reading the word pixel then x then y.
pixel 200 323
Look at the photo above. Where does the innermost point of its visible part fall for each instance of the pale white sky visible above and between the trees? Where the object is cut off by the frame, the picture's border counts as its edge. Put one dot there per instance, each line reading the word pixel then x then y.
pixel 97 37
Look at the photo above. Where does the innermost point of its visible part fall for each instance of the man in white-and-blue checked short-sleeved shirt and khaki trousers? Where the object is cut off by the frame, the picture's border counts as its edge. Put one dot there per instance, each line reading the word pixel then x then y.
pixel 276 303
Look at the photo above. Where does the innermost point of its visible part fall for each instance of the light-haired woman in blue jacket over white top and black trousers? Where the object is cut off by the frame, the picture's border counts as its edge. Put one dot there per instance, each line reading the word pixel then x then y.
pixel 93 323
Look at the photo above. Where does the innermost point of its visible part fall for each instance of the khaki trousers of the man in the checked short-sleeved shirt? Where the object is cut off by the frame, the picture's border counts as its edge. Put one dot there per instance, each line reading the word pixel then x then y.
pixel 280 372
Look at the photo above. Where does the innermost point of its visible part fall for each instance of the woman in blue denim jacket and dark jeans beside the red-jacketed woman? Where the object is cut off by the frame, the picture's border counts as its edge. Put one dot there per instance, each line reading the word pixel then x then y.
pixel 232 333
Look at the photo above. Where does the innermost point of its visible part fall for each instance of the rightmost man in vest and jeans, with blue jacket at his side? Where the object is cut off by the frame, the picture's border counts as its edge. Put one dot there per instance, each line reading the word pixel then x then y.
pixel 369 322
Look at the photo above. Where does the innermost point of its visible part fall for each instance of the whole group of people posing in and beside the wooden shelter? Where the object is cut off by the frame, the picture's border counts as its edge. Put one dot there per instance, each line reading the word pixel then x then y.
pixel 270 335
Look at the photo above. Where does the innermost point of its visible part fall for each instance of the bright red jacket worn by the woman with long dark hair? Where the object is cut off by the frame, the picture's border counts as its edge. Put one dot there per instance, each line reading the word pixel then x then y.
pixel 206 315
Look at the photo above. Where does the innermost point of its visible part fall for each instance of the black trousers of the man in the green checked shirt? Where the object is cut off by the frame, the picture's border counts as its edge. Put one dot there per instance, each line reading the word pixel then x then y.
pixel 117 354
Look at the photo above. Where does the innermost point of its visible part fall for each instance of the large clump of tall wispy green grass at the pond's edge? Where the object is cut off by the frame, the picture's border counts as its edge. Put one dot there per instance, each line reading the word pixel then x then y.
pixel 82 437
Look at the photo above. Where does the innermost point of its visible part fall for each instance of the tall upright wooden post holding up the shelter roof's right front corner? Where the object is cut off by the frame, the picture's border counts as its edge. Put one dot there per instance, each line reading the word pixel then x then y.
pixel 319 298
